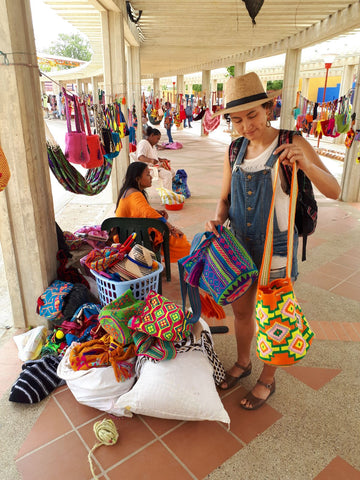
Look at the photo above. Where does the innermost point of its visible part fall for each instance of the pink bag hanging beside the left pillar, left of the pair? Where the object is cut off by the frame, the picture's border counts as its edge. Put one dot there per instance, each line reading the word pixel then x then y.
pixel 76 149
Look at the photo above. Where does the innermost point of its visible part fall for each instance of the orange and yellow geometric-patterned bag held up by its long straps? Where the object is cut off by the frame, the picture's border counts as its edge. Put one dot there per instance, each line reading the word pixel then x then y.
pixel 283 333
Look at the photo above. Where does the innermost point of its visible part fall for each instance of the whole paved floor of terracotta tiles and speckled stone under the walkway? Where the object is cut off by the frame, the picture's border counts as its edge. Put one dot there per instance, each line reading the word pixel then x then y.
pixel 310 427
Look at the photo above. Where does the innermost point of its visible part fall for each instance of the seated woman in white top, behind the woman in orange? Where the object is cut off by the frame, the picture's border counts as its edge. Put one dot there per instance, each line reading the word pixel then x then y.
pixel 146 152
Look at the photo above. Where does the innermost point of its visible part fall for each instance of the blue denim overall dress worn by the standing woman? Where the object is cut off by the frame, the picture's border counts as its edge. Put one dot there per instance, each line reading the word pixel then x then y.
pixel 251 194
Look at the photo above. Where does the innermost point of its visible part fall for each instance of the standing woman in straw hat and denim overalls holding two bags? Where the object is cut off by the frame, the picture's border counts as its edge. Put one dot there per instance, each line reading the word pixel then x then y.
pixel 245 200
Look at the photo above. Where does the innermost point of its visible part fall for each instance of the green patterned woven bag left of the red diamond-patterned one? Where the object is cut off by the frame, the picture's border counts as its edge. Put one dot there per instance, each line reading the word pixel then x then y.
pixel 114 317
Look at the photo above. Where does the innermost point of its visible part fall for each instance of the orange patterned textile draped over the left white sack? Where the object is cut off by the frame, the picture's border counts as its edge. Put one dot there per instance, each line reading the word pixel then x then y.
pixel 102 352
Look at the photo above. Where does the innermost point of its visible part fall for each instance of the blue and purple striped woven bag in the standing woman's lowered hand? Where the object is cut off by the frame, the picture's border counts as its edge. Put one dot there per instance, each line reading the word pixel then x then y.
pixel 219 265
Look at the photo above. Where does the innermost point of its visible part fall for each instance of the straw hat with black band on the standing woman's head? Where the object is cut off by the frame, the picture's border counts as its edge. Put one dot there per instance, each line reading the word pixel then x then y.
pixel 244 92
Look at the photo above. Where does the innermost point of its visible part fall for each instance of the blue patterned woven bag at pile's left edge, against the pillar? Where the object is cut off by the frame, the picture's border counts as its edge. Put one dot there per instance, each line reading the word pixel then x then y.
pixel 51 302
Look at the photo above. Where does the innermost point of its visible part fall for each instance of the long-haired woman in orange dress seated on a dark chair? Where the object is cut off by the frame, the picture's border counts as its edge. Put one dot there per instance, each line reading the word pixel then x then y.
pixel 132 202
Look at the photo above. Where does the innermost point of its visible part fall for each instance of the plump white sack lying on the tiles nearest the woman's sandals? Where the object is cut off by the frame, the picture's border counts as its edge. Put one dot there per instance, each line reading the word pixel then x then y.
pixel 182 388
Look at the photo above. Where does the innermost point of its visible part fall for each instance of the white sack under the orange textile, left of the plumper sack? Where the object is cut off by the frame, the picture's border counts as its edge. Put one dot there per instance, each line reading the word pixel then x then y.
pixel 96 387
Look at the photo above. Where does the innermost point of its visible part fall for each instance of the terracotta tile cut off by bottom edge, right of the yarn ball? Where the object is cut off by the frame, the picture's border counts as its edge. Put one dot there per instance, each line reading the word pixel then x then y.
pixel 155 461
